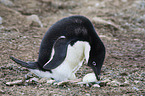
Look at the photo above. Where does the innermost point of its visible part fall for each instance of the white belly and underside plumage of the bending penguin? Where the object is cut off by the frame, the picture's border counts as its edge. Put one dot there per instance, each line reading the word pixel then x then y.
pixel 73 61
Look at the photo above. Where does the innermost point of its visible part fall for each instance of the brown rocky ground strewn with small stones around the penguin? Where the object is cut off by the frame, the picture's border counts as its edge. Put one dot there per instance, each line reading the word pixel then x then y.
pixel 119 23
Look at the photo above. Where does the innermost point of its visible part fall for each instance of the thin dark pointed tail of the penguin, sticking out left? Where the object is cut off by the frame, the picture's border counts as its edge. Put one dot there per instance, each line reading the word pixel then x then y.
pixel 30 65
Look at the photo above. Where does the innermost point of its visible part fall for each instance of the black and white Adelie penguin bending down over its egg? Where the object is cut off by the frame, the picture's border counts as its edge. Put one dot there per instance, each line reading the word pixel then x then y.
pixel 64 47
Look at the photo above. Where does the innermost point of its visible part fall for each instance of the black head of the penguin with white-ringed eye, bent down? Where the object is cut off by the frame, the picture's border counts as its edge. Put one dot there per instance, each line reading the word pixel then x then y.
pixel 97 56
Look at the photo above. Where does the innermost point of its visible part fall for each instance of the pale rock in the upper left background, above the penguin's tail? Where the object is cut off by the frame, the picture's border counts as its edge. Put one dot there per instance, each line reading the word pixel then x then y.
pixel 35 19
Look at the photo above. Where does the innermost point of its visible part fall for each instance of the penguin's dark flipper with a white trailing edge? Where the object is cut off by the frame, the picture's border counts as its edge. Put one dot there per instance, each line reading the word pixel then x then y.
pixel 60 51
